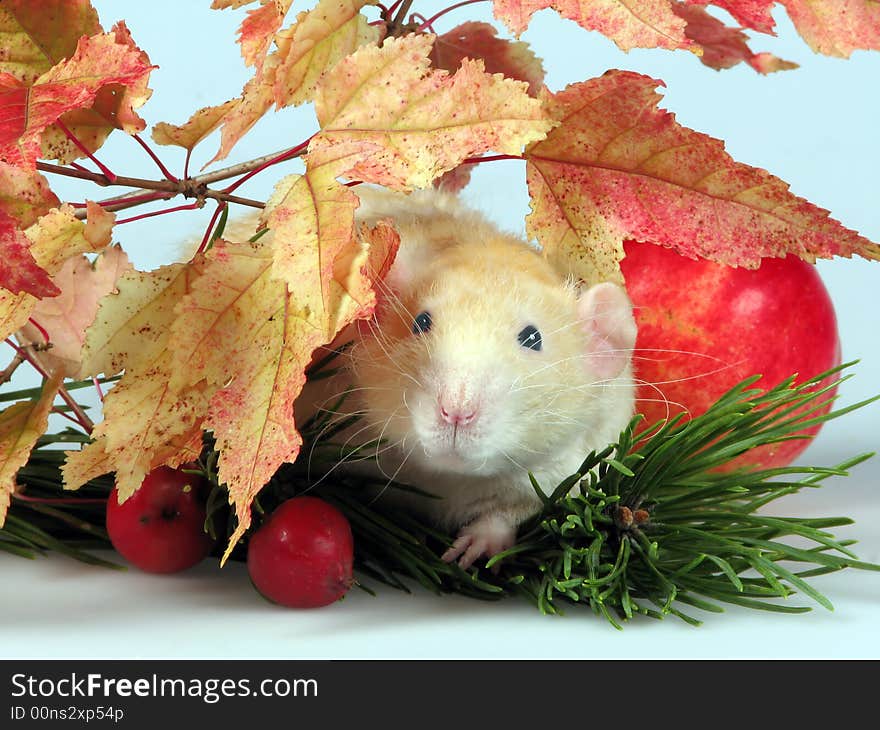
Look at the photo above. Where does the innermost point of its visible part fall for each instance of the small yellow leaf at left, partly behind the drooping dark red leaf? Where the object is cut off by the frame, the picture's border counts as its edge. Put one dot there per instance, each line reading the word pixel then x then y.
pixel 54 238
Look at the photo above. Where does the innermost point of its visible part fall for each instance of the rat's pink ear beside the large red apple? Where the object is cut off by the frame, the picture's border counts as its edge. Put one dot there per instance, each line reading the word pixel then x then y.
pixel 606 315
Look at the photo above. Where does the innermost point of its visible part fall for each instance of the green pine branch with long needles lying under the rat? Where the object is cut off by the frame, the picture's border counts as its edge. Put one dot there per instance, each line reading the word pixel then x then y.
pixel 647 526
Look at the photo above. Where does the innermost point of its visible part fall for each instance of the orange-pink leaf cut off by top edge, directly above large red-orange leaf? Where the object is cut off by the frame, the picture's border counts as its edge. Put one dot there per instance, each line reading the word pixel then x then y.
pixel 629 23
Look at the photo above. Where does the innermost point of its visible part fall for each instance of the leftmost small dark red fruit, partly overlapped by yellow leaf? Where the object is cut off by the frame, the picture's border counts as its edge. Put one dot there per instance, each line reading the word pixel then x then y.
pixel 161 527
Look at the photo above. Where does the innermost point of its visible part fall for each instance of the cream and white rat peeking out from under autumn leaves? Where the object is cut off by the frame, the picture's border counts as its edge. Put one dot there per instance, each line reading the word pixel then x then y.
pixel 482 364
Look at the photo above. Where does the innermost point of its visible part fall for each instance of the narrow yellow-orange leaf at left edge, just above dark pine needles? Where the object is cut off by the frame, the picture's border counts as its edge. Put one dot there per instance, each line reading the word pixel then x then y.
pixel 20 426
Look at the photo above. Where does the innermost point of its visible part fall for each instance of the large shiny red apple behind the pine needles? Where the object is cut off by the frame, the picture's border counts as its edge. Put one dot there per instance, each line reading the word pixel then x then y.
pixel 704 327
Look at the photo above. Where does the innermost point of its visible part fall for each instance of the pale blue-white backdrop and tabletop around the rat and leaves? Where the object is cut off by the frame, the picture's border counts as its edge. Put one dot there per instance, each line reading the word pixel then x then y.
pixel 815 127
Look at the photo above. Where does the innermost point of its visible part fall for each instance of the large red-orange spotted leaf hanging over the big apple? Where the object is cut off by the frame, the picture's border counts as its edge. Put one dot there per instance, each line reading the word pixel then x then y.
pixel 618 167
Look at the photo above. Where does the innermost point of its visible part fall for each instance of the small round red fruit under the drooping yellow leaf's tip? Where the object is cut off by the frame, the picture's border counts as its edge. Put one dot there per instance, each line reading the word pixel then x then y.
pixel 302 555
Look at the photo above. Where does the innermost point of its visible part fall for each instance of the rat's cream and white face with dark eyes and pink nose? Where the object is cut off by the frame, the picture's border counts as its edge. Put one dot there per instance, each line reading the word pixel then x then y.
pixel 481 366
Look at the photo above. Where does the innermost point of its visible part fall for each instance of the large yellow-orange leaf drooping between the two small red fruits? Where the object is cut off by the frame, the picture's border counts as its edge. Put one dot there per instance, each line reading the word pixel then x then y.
pixel 254 335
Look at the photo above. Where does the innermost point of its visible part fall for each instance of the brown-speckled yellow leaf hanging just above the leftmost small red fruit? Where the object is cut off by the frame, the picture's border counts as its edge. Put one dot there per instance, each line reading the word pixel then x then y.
pixel 149 417
